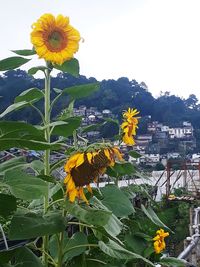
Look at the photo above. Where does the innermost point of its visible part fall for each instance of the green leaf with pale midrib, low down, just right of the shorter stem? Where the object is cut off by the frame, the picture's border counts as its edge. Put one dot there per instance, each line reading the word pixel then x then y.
pixel 75 246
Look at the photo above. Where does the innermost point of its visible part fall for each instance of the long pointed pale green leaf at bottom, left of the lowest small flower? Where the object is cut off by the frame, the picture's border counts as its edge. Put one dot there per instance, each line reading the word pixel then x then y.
pixel 114 250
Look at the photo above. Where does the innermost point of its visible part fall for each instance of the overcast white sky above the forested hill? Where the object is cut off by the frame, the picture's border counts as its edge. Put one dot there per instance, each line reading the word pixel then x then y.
pixel 155 41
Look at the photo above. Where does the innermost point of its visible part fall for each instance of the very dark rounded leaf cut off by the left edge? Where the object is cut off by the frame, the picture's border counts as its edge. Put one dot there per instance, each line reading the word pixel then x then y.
pixel 7 205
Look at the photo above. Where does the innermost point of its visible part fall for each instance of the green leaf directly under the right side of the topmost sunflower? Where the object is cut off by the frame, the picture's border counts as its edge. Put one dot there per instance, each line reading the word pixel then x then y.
pixel 70 66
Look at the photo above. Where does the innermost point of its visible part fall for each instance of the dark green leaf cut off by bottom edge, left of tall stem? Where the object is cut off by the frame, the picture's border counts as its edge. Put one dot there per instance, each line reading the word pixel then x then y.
pixel 24 257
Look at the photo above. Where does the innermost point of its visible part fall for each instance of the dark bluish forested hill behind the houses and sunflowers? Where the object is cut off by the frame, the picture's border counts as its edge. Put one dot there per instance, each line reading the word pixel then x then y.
pixel 115 95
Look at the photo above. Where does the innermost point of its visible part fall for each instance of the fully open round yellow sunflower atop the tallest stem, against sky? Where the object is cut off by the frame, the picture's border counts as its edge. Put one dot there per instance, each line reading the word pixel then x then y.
pixel 54 39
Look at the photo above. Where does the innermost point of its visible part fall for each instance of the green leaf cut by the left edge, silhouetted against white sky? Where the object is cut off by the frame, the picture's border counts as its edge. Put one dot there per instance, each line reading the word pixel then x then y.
pixel 12 63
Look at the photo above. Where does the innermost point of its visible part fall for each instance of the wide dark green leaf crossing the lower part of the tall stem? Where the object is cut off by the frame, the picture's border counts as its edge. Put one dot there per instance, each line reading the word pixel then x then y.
pixel 32 225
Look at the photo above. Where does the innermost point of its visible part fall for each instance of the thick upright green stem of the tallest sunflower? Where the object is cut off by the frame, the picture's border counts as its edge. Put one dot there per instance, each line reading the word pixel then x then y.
pixel 46 157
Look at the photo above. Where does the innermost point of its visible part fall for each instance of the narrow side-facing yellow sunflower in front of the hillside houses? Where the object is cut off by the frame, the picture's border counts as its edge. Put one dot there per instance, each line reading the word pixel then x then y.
pixel 129 126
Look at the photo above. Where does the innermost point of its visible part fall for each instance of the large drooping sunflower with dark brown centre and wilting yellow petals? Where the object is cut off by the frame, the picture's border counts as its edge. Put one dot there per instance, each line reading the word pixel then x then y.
pixel 84 168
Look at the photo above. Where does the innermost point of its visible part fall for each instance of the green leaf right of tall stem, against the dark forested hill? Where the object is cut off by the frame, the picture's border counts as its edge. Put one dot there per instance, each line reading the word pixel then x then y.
pixel 80 91
